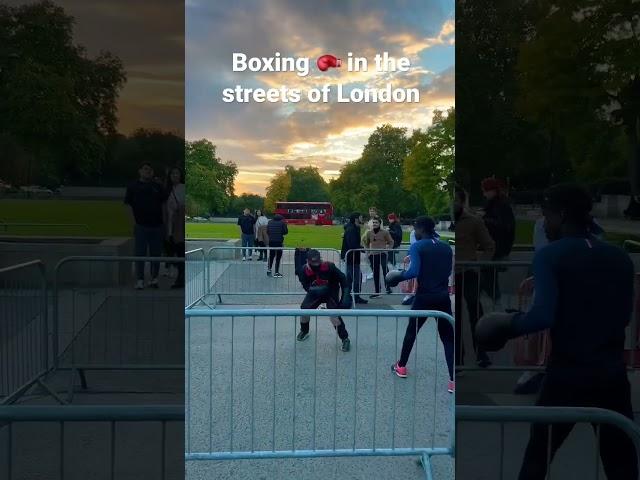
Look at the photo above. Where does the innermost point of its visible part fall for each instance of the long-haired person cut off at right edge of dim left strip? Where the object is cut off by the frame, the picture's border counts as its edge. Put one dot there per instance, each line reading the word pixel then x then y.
pixel 175 208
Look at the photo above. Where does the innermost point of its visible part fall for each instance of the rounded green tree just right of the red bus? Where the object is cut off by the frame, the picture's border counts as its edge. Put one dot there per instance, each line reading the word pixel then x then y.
pixel 377 177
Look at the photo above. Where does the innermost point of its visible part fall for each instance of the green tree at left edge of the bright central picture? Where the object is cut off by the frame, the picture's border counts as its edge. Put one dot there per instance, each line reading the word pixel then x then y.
pixel 209 180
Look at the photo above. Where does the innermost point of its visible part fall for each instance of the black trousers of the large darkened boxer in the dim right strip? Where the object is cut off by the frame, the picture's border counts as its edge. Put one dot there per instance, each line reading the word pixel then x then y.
pixel 617 451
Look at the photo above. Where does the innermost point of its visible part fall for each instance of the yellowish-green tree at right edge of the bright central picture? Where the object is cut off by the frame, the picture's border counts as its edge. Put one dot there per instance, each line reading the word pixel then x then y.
pixel 429 167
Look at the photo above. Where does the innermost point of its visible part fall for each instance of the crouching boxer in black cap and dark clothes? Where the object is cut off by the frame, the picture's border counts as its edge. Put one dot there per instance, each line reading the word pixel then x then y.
pixel 323 282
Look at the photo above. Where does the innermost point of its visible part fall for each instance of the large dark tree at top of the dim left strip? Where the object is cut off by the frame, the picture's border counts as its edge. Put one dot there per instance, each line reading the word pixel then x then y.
pixel 57 105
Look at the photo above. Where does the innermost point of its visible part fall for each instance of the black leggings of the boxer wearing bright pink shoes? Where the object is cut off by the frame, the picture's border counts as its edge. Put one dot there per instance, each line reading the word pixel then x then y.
pixel 445 329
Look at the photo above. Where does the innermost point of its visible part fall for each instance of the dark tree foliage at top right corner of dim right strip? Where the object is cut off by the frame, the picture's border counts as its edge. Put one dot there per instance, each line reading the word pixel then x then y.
pixel 580 76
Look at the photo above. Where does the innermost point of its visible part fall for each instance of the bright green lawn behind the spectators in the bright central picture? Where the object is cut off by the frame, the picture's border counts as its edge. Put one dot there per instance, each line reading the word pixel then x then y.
pixel 299 235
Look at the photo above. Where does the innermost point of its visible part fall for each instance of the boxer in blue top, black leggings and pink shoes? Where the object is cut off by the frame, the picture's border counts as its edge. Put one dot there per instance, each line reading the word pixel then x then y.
pixel 431 263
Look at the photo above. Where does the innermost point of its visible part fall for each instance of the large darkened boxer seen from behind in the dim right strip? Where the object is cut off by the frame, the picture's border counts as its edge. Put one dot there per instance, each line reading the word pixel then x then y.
pixel 584 294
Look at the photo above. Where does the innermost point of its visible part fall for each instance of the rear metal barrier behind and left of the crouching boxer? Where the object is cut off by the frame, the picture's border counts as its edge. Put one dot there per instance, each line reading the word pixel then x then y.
pixel 231 279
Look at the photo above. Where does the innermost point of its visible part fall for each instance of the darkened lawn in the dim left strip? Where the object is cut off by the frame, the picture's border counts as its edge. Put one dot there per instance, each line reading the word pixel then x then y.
pixel 99 218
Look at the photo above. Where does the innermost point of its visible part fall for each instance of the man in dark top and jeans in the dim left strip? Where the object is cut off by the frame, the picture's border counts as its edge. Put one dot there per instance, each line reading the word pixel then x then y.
pixel 146 197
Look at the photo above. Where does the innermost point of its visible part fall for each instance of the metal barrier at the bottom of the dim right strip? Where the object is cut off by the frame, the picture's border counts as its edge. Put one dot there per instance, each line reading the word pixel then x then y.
pixel 551 416
